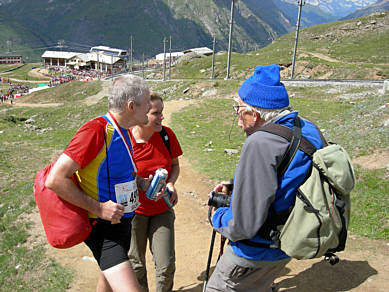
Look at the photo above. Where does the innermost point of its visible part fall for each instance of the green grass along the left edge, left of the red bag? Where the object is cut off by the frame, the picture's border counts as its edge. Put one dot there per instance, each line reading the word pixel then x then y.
pixel 23 264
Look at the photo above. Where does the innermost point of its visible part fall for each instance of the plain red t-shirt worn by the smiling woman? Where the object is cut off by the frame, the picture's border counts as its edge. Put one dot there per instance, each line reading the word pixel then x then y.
pixel 149 157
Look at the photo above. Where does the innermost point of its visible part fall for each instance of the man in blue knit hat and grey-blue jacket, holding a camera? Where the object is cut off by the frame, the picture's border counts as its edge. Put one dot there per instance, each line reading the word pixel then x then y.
pixel 250 261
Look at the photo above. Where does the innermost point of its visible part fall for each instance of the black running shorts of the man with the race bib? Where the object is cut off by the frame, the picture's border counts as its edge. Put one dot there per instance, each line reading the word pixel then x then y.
pixel 109 242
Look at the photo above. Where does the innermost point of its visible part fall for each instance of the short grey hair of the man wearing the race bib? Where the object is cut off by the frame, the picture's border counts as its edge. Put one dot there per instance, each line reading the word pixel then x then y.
pixel 125 89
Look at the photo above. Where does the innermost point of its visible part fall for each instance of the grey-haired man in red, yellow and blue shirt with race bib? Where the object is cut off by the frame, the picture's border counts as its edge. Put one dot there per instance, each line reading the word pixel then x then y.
pixel 100 155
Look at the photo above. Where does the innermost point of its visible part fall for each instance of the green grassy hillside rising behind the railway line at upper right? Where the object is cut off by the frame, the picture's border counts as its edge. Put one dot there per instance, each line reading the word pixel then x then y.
pixel 361 52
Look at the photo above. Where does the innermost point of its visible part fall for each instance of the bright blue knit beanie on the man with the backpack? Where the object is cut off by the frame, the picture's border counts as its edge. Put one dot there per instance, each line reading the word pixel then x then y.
pixel 263 89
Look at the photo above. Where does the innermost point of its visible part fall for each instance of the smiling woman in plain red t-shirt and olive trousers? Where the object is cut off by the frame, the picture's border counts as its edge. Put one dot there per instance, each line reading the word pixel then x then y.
pixel 154 221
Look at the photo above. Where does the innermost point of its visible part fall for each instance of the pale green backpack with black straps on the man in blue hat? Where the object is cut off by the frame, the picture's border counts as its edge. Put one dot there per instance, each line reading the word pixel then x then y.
pixel 317 224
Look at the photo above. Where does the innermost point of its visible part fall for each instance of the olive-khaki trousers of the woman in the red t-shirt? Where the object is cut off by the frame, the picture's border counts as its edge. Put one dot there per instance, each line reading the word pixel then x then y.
pixel 159 231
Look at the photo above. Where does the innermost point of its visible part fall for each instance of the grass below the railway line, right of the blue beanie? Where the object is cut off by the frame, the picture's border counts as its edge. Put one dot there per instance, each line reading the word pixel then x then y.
pixel 339 118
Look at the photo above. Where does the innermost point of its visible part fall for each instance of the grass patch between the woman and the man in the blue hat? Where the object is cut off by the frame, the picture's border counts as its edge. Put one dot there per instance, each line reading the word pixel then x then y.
pixel 206 127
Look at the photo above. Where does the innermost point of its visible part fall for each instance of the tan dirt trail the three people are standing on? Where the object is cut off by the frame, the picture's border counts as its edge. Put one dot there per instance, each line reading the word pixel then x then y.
pixel 364 265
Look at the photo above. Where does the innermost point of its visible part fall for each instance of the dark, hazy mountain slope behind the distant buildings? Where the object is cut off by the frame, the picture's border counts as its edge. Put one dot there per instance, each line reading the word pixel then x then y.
pixel 86 23
